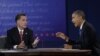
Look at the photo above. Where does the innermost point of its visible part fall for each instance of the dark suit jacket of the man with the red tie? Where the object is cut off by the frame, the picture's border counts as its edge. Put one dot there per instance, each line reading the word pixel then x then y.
pixel 13 38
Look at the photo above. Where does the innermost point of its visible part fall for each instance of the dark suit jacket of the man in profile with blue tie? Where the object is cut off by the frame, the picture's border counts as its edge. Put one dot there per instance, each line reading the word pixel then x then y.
pixel 87 39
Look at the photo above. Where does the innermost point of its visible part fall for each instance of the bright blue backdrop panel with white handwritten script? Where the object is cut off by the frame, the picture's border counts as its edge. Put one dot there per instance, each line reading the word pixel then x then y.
pixel 45 18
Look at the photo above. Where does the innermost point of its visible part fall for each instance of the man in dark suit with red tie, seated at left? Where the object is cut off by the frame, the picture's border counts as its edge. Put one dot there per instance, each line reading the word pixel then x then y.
pixel 21 36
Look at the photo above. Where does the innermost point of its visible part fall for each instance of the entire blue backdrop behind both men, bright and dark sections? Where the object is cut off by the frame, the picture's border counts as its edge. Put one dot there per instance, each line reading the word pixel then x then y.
pixel 49 16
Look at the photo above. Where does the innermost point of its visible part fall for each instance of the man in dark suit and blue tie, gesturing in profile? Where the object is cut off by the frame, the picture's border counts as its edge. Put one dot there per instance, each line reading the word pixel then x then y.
pixel 87 34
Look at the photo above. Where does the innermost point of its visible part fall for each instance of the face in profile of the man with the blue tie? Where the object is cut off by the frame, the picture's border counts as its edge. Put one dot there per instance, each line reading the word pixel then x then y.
pixel 76 20
